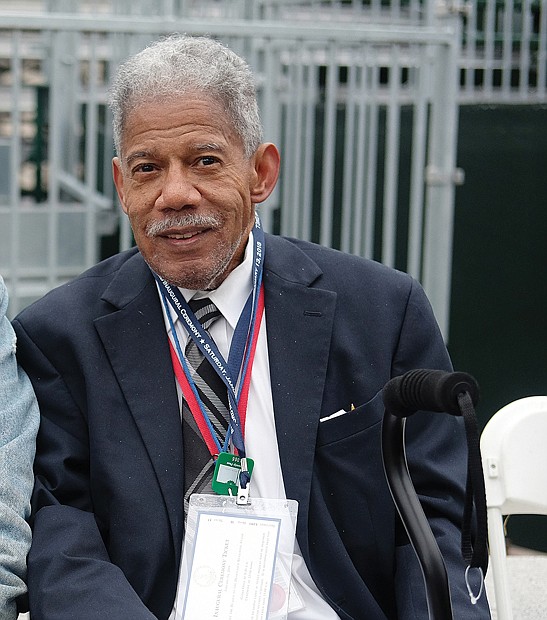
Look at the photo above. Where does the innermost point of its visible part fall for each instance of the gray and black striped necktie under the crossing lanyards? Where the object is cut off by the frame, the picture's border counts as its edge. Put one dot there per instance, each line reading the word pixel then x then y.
pixel 198 463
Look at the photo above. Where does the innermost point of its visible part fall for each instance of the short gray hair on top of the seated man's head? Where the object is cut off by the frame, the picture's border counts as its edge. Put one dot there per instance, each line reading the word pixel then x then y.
pixel 178 65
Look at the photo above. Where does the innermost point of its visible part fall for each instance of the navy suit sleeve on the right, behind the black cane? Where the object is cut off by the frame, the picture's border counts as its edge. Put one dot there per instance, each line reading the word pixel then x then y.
pixel 437 459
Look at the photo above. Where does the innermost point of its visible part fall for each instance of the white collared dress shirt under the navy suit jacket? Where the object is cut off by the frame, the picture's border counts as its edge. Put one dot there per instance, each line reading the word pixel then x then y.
pixel 260 435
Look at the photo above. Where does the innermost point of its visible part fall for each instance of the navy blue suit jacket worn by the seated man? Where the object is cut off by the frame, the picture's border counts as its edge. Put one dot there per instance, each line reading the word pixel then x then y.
pixel 108 514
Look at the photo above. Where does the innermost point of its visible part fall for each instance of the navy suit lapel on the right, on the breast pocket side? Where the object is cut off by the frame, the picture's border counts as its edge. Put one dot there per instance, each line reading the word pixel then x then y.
pixel 299 323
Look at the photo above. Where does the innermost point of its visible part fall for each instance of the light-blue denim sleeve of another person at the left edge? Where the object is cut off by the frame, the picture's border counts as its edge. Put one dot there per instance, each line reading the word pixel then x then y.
pixel 19 420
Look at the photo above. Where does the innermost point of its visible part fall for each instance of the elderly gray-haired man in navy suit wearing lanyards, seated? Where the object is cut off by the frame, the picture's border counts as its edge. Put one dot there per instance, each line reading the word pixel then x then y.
pixel 300 340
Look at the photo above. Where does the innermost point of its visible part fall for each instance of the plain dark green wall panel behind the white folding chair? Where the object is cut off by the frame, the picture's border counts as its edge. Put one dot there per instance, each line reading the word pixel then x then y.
pixel 498 328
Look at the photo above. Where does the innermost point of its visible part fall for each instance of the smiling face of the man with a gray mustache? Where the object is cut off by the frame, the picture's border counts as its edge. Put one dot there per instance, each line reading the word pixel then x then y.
pixel 187 187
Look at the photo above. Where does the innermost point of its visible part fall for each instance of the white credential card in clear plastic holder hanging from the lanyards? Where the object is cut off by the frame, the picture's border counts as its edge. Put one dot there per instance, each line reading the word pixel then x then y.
pixel 237 559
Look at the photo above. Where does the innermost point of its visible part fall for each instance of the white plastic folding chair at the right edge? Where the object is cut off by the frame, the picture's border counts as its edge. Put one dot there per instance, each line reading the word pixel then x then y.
pixel 514 453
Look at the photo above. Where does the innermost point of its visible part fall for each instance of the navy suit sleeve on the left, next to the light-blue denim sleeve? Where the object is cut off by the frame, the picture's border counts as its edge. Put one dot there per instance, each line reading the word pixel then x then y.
pixel 70 574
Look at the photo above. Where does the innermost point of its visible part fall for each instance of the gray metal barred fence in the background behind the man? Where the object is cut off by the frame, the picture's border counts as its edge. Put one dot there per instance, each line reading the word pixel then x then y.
pixel 361 97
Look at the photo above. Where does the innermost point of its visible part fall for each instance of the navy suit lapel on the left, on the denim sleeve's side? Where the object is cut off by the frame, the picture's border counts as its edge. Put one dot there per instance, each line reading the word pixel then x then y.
pixel 135 340
